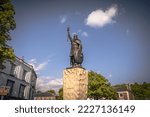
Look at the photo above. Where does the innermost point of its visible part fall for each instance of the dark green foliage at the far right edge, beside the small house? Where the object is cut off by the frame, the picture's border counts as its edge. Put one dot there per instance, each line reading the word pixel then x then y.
pixel 141 91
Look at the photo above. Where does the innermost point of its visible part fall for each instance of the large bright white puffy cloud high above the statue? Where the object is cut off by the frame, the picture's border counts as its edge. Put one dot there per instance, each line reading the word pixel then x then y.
pixel 100 18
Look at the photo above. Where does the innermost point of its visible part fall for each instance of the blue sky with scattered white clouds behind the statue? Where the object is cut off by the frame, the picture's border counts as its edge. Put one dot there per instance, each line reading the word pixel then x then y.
pixel 114 34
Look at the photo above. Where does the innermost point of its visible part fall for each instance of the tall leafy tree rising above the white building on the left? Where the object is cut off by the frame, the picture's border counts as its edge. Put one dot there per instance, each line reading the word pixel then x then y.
pixel 7 23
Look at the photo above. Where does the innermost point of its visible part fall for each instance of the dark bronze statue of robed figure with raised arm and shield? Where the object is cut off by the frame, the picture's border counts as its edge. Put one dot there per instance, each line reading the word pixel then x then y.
pixel 76 55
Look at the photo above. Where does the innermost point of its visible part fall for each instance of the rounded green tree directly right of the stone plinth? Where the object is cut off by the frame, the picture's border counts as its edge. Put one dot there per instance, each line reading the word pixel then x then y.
pixel 99 87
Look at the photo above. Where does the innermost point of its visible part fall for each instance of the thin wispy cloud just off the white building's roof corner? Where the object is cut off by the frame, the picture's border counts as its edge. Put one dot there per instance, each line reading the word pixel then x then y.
pixel 38 66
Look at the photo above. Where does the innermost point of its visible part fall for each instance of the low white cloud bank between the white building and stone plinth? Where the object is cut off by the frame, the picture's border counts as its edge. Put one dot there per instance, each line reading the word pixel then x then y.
pixel 47 83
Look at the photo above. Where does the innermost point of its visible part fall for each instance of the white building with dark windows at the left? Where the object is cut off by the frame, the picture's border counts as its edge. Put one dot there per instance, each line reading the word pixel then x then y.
pixel 20 77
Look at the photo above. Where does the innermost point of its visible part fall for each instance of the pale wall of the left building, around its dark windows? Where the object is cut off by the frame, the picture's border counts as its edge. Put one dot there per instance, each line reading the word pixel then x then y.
pixel 29 81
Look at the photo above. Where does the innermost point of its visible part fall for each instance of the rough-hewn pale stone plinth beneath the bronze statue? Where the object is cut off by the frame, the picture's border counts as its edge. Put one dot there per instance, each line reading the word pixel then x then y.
pixel 75 84
